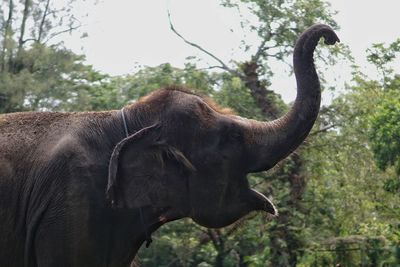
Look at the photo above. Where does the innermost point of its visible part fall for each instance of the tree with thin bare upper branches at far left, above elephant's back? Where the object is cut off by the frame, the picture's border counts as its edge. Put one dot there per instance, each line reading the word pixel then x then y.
pixel 30 68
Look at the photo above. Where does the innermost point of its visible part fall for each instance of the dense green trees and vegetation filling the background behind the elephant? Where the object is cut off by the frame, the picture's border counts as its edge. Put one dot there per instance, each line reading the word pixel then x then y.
pixel 338 194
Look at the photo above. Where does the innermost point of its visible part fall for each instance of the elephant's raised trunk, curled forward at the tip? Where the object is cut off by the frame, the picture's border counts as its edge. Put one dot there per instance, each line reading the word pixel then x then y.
pixel 270 142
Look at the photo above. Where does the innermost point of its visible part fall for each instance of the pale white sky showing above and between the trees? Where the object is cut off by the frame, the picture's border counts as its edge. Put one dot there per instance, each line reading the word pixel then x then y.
pixel 123 34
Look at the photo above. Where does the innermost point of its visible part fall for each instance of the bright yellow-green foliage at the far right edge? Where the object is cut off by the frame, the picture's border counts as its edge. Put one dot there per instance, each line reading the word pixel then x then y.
pixel 384 126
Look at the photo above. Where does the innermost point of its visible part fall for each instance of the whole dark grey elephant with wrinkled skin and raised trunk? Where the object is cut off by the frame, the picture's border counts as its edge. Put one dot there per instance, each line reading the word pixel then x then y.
pixel 72 184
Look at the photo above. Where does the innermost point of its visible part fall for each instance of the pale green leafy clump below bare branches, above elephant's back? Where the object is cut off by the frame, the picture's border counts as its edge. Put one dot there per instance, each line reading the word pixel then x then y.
pixel 48 78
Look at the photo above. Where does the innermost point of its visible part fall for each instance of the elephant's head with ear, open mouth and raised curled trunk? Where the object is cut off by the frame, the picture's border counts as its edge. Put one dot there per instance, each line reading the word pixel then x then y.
pixel 189 158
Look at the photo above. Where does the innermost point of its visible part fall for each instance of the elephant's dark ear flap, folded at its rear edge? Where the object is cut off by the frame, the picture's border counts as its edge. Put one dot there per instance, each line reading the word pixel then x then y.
pixel 139 168
